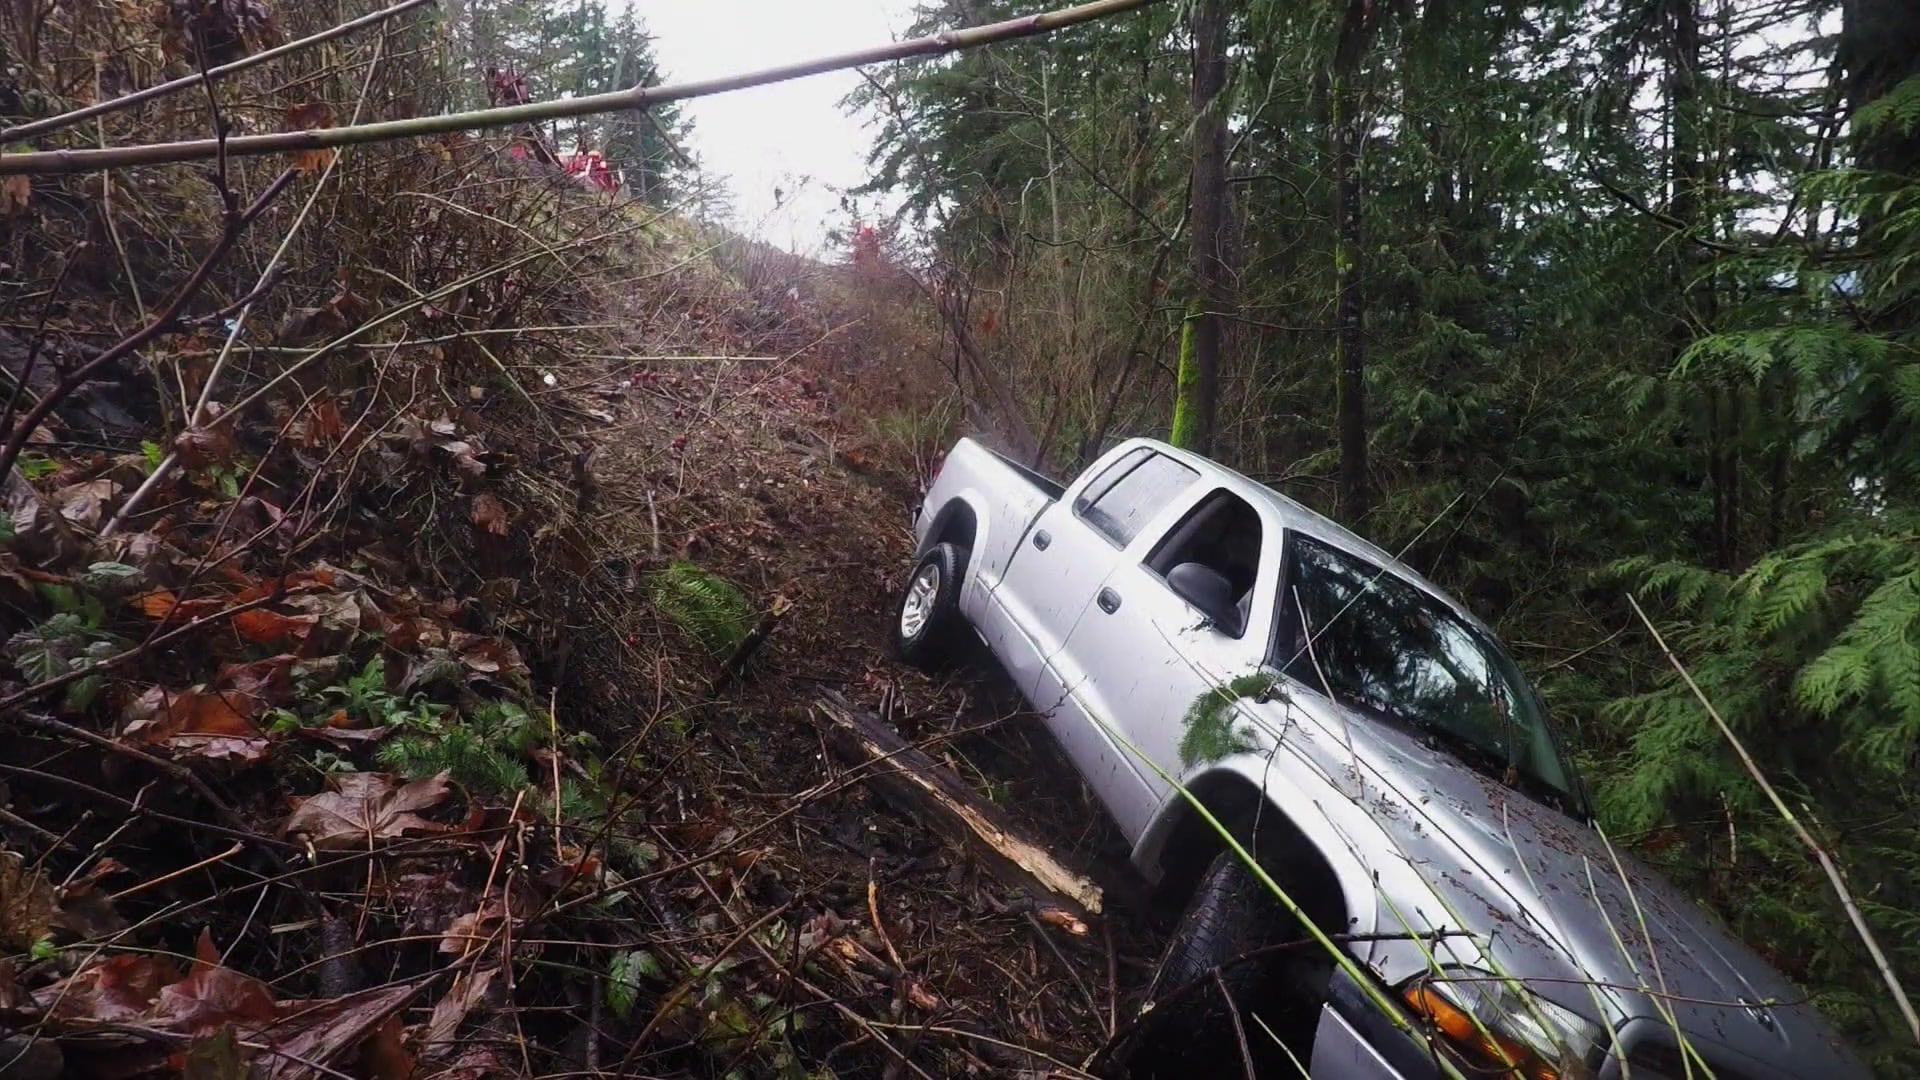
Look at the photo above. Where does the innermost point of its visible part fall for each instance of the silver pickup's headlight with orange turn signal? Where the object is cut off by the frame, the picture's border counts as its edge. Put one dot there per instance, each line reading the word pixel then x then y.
pixel 1497 1023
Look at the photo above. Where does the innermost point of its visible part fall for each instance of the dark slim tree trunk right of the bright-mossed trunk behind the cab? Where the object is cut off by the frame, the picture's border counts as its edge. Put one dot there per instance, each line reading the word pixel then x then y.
pixel 1349 260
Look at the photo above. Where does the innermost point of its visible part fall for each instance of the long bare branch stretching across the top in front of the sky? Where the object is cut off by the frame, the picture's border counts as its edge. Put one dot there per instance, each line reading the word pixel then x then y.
pixel 537 112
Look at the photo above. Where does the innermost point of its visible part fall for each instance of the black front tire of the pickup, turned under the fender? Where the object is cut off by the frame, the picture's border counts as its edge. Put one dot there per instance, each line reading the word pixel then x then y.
pixel 1188 1031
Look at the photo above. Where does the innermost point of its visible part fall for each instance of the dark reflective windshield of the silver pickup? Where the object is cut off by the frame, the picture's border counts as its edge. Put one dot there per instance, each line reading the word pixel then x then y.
pixel 1389 649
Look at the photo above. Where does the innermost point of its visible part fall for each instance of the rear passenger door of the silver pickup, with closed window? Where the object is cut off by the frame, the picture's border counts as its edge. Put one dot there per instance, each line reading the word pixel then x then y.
pixel 1053 583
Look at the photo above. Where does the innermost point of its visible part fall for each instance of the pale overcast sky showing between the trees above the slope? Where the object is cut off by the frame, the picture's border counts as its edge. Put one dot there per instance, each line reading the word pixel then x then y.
pixel 792 137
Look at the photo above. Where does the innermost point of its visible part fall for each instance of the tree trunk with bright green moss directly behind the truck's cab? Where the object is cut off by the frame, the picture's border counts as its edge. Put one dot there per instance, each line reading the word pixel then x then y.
pixel 1197 401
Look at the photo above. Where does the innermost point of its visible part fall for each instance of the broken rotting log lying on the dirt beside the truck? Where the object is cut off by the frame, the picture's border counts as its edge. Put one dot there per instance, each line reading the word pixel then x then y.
pixel 919 785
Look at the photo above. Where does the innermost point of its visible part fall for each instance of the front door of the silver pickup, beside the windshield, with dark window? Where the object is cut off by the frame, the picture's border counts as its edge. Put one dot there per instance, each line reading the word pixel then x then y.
pixel 1143 656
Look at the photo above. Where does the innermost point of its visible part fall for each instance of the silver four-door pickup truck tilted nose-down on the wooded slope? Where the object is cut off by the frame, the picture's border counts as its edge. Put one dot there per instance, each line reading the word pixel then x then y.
pixel 1195 639
